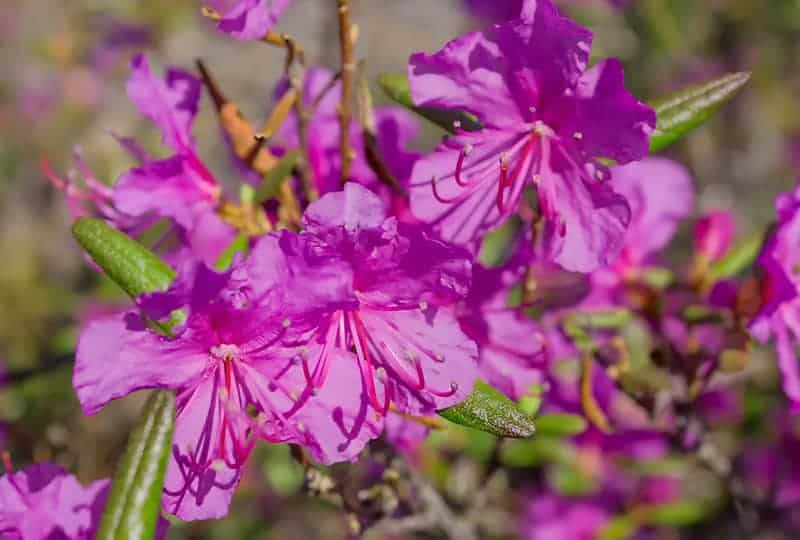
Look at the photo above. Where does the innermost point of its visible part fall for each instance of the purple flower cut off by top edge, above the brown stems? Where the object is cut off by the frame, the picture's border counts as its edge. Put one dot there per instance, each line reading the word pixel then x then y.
pixel 248 19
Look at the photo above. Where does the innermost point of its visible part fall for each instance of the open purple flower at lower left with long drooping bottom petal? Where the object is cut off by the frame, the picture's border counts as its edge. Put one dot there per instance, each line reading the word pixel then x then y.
pixel 235 377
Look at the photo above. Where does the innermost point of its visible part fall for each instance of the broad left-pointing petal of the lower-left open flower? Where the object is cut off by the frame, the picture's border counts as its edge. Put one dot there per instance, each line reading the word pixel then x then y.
pixel 119 355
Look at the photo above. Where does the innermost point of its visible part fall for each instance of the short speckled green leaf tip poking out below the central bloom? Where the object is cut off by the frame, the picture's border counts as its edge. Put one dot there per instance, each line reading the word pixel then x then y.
pixel 488 410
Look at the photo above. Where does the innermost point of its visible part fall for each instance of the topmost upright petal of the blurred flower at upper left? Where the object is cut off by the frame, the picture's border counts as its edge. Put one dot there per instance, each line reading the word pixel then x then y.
pixel 171 104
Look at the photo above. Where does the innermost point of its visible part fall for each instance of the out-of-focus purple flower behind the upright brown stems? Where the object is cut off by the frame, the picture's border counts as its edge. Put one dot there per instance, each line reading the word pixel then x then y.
pixel 395 129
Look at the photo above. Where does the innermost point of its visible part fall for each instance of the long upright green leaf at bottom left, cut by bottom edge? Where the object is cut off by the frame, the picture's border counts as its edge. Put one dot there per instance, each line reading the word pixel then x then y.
pixel 134 501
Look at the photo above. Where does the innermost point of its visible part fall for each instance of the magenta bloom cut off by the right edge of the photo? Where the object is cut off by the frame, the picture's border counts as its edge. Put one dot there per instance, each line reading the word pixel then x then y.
pixel 780 314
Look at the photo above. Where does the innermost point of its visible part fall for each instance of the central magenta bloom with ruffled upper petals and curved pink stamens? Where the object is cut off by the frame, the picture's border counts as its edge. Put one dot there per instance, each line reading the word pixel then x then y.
pixel 378 292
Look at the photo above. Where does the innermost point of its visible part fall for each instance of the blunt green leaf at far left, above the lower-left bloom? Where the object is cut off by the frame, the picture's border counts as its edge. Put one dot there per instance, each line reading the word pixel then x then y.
pixel 131 265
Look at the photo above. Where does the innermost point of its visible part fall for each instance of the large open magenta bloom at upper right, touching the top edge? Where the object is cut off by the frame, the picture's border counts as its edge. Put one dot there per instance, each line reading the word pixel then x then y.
pixel 545 118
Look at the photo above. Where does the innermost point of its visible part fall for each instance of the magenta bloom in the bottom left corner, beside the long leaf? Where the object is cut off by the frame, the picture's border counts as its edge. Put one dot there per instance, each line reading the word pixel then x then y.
pixel 44 501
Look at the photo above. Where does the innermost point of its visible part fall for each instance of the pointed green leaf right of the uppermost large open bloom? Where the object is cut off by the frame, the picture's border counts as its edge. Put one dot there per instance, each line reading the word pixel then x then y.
pixel 680 113
